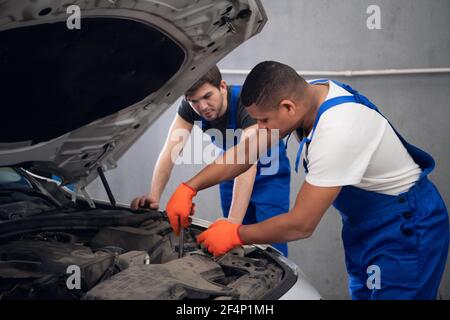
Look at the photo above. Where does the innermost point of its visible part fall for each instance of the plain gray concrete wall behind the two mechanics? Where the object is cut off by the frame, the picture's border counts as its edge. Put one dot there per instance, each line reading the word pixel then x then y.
pixel 332 35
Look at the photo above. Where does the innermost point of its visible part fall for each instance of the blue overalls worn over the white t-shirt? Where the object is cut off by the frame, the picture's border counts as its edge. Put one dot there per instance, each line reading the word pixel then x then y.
pixel 405 236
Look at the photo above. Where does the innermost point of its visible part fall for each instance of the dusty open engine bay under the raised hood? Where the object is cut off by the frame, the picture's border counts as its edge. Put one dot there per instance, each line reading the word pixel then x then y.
pixel 121 254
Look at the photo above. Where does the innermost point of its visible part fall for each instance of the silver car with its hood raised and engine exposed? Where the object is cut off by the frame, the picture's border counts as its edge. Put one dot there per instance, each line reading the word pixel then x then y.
pixel 81 81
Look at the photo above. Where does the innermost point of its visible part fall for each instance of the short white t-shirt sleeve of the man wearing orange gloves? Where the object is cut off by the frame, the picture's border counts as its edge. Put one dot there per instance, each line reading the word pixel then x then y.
pixel 343 144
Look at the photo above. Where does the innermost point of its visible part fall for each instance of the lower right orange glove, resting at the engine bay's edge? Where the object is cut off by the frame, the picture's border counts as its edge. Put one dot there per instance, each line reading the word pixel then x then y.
pixel 221 237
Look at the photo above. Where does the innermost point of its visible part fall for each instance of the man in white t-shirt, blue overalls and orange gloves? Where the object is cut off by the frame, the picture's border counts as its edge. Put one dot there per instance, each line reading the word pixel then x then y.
pixel 395 223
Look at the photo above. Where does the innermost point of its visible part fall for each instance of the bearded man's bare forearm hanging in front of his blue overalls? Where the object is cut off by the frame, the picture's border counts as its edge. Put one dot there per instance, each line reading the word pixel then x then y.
pixel 242 192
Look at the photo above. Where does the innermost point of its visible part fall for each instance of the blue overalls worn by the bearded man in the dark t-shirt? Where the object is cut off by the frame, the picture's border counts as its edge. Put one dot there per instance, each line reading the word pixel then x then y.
pixel 270 196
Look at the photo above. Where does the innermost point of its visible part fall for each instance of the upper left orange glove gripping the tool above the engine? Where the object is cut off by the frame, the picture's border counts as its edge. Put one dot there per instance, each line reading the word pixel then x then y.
pixel 180 207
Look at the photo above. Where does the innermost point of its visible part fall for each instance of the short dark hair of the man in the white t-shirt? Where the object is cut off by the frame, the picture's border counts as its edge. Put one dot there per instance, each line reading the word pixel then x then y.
pixel 269 82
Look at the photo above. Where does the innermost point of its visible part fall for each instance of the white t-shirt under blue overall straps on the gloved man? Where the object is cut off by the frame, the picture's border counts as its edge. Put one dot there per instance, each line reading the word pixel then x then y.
pixel 354 145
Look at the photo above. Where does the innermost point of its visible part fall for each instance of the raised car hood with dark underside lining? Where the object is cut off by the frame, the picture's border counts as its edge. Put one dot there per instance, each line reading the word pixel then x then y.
pixel 74 100
